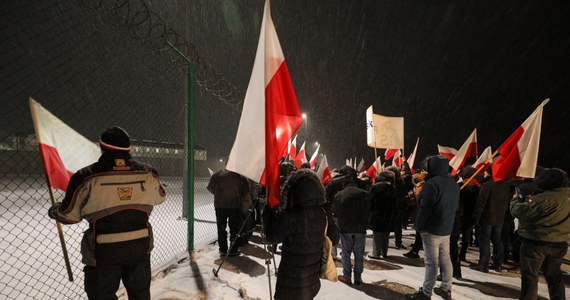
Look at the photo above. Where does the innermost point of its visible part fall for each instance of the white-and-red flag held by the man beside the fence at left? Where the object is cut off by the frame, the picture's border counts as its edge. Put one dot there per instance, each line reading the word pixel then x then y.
pixel 63 150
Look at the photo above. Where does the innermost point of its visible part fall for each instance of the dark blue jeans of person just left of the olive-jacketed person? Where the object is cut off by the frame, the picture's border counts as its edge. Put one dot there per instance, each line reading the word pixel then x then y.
pixel 487 234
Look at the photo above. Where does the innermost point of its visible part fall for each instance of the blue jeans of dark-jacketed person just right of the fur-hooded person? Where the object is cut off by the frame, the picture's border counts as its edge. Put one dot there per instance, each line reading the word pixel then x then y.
pixel 352 243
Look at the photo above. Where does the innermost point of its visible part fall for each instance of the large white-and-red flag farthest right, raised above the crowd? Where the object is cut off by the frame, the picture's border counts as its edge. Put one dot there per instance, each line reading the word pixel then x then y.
pixel 519 153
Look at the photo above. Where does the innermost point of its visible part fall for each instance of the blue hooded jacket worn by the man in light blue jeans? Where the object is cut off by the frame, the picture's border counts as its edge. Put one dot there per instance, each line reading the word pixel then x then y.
pixel 439 199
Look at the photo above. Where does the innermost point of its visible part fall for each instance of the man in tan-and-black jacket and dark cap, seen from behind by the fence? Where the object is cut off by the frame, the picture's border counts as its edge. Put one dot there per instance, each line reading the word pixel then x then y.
pixel 116 196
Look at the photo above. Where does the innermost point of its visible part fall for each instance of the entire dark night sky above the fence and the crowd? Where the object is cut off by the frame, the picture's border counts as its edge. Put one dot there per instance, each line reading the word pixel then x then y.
pixel 447 67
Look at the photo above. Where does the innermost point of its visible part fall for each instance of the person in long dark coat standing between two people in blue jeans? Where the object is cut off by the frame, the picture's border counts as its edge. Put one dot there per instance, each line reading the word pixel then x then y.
pixel 383 208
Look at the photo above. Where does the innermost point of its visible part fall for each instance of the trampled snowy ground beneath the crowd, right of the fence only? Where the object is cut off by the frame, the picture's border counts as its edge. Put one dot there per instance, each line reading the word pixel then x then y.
pixel 245 277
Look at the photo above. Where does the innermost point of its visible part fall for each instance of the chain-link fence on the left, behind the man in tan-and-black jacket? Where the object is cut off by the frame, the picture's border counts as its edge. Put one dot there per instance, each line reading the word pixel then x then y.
pixel 94 64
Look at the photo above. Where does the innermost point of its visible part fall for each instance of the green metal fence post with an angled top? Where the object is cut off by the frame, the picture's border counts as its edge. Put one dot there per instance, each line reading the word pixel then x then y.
pixel 190 153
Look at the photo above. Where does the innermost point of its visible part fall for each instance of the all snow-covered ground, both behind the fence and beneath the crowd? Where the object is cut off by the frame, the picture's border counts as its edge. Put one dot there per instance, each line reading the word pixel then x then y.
pixel 31 265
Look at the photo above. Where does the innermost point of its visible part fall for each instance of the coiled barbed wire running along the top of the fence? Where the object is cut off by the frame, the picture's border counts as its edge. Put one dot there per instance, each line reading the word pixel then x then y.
pixel 151 30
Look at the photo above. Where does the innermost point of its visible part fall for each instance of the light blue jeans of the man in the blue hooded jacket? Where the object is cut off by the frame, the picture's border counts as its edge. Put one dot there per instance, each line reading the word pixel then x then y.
pixel 436 253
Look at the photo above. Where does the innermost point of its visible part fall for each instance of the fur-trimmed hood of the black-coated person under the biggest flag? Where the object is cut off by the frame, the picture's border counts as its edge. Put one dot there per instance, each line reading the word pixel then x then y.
pixel 302 188
